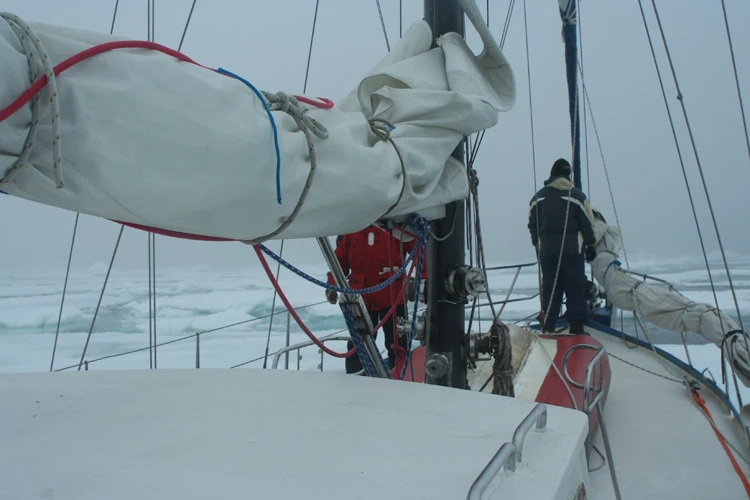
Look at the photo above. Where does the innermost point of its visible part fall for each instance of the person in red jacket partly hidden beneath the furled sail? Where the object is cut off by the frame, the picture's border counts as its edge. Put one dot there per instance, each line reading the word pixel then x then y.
pixel 370 257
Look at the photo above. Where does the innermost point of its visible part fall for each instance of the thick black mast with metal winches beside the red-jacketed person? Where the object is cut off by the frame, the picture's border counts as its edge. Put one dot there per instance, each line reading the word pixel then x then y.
pixel 446 322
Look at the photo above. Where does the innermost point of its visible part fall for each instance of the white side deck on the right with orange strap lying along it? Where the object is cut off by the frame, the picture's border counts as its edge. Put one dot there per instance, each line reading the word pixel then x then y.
pixel 663 447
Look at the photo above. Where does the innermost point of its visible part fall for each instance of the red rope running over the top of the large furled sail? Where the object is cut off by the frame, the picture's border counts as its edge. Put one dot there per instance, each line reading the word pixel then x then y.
pixel 39 84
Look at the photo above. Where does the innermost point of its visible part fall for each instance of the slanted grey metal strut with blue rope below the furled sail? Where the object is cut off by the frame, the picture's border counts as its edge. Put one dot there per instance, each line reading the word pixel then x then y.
pixel 356 305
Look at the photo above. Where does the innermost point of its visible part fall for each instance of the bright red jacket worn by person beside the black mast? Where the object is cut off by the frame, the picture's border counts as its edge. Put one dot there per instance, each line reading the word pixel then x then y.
pixel 373 255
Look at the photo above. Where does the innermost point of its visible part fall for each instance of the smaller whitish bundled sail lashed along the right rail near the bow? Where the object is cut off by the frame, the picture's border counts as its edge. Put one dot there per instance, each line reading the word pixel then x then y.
pixel 665 308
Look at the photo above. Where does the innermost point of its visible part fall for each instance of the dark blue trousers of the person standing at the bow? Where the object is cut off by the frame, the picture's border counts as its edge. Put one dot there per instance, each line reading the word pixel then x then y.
pixel 570 280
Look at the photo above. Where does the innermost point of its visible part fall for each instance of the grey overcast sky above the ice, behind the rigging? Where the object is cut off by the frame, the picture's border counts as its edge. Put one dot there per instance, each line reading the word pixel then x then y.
pixel 267 42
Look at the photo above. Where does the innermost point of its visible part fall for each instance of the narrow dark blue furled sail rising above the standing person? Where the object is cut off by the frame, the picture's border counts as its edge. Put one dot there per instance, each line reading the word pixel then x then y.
pixel 569 16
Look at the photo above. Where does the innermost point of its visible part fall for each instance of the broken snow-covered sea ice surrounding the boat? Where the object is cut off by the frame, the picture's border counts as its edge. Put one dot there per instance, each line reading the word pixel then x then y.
pixel 199 299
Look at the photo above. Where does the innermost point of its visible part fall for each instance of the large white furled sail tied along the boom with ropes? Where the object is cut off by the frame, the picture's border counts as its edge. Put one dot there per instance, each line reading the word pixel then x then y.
pixel 154 141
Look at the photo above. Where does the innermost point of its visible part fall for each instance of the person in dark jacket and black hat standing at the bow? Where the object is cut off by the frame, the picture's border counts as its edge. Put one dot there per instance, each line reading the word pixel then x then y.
pixel 557 201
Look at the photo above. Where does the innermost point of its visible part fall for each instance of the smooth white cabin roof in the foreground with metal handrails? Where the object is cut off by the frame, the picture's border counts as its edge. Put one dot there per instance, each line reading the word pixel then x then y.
pixel 209 434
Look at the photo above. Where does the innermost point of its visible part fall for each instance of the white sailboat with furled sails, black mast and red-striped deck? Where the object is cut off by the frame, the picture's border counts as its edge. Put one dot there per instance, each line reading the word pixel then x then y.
pixel 666 430
